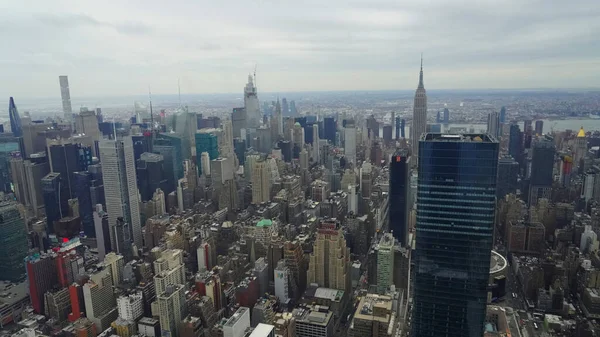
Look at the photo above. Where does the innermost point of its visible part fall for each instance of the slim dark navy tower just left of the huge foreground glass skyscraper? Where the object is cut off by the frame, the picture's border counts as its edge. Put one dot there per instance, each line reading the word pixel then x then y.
pixel 399 195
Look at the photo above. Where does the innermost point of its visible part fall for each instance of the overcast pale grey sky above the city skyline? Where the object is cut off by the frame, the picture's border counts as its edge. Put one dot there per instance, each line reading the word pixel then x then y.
pixel 122 47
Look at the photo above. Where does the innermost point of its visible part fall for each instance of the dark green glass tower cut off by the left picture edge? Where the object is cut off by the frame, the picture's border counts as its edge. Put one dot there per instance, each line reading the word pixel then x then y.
pixel 13 242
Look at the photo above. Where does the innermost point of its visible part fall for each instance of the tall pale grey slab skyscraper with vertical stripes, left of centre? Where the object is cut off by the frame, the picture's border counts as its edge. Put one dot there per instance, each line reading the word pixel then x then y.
pixel 120 185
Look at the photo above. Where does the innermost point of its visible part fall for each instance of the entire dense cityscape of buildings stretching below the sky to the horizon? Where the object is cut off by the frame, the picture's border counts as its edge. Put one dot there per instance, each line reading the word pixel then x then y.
pixel 321 218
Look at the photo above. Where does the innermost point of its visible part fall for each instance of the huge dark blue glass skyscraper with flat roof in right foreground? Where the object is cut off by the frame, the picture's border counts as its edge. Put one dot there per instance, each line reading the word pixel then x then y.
pixel 454 234
